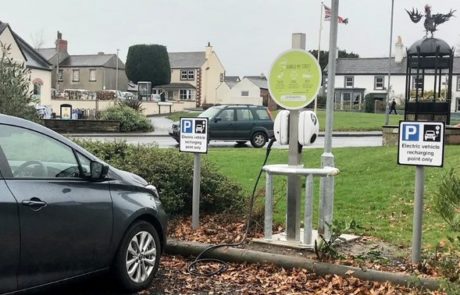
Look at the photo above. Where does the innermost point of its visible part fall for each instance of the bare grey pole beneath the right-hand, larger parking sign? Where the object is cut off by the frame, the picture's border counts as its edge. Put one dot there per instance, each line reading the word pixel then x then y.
pixel 418 213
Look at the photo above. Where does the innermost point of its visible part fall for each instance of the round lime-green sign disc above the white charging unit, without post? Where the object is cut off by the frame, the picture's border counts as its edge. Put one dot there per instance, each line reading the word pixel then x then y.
pixel 294 79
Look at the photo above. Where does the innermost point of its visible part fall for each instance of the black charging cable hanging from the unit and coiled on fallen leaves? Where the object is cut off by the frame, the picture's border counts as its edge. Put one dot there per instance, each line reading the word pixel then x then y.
pixel 192 267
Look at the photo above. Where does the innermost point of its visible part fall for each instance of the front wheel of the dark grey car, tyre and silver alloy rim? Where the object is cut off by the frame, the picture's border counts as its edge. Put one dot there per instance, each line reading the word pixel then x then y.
pixel 138 257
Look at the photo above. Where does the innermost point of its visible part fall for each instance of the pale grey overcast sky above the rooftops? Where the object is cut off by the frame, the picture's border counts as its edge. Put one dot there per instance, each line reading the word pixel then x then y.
pixel 247 35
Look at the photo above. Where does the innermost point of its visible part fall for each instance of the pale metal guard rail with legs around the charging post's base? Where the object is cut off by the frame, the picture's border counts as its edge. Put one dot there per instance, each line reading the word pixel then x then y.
pixel 309 173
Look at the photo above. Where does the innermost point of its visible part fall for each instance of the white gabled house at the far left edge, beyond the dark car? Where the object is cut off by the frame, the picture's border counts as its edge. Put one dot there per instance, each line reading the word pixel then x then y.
pixel 23 53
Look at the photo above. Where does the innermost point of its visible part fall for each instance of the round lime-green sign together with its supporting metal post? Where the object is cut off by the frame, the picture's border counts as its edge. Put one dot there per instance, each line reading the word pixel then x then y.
pixel 294 82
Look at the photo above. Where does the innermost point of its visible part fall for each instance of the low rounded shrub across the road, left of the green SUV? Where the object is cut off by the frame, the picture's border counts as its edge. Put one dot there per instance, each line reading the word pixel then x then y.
pixel 130 120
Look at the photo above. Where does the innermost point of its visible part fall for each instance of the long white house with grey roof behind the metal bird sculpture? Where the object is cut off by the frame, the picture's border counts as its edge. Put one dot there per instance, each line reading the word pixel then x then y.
pixel 357 77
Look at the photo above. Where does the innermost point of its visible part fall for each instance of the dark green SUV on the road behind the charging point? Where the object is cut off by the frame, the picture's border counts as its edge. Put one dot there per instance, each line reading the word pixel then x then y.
pixel 238 123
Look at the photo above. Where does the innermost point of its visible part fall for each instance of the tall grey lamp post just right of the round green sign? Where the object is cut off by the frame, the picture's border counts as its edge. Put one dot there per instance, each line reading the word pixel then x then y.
pixel 327 158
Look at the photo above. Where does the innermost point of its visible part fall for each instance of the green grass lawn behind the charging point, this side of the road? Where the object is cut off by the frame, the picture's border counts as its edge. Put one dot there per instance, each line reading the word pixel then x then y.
pixel 371 188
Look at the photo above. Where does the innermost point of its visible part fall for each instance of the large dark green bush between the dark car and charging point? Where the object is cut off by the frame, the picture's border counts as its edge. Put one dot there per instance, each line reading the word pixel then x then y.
pixel 172 173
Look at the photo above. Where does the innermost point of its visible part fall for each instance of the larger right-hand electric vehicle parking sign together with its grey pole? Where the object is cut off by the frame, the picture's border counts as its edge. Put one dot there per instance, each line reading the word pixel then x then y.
pixel 420 144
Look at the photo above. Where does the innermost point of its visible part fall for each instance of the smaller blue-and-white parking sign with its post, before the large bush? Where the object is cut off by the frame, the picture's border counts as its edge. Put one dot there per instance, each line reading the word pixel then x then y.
pixel 194 139
